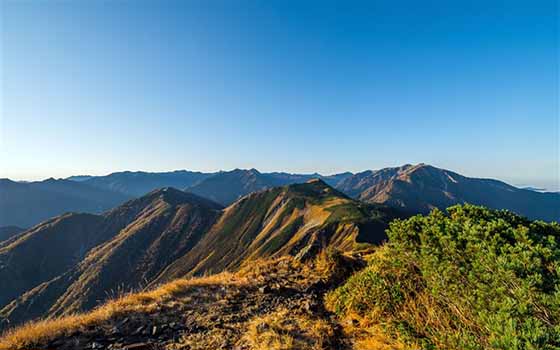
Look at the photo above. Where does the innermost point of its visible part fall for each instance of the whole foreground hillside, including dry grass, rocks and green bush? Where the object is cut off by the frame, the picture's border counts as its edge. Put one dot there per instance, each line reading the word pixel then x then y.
pixel 472 279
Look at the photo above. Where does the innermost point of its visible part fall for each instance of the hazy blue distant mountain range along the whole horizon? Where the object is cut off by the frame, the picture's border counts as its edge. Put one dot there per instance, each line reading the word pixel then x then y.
pixel 415 188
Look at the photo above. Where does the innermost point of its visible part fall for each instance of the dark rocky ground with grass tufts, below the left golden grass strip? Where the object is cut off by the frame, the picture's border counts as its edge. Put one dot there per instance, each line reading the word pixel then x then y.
pixel 281 306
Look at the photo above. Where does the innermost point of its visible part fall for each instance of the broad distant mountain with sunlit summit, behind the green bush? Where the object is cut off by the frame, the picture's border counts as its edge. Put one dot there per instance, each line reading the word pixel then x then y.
pixel 420 188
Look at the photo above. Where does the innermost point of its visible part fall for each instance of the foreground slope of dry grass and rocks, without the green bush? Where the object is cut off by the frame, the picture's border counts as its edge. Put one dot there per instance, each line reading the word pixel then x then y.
pixel 272 305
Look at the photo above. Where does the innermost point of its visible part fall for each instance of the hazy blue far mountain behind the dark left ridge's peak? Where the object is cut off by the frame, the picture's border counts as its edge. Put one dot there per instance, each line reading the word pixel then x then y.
pixel 138 183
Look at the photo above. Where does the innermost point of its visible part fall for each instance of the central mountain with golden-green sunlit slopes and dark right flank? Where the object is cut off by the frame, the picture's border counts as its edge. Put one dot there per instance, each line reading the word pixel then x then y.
pixel 295 220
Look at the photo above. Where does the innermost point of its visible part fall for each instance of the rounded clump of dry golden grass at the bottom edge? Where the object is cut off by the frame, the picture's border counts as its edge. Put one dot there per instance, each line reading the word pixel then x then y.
pixel 287 330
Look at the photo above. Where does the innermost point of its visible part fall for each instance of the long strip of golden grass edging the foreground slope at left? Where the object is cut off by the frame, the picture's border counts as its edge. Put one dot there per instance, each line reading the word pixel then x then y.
pixel 44 330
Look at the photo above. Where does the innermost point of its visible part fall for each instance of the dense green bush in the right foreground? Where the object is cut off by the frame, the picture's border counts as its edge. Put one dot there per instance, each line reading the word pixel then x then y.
pixel 473 279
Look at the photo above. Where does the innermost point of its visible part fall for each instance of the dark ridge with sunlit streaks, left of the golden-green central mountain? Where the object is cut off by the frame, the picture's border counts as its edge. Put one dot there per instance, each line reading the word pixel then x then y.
pixel 141 238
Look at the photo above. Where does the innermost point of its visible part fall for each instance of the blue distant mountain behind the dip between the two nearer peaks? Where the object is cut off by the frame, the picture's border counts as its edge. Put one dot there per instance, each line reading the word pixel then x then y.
pixel 227 186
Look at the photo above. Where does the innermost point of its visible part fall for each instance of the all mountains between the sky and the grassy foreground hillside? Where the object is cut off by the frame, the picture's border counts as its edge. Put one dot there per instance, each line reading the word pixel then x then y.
pixel 94 237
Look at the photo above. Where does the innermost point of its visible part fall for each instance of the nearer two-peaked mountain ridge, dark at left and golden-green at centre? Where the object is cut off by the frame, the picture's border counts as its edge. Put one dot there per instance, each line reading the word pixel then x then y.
pixel 80 259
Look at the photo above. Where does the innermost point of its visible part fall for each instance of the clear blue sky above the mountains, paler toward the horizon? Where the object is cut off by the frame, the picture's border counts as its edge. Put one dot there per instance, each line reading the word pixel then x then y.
pixel 92 87
